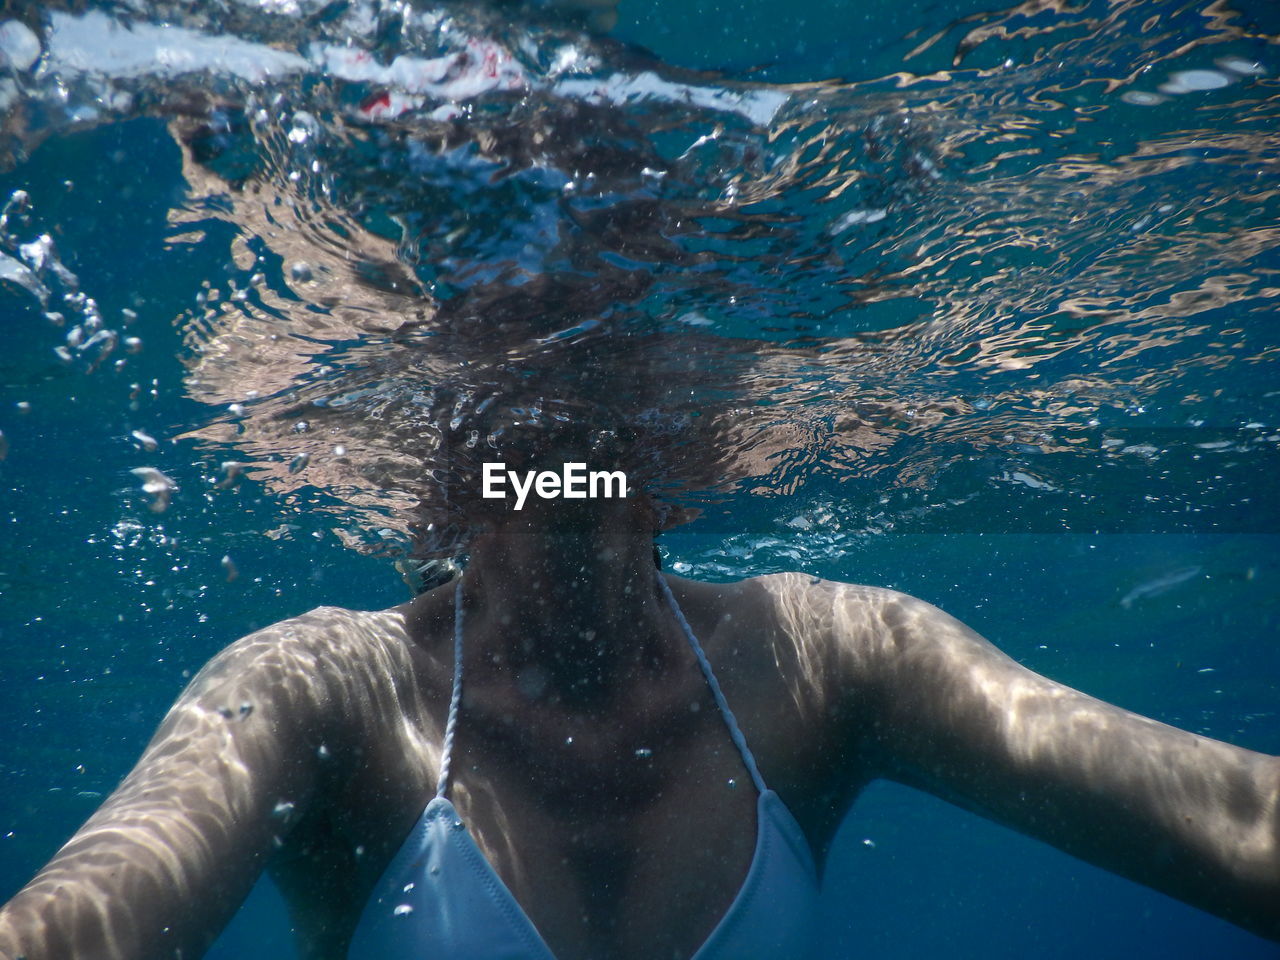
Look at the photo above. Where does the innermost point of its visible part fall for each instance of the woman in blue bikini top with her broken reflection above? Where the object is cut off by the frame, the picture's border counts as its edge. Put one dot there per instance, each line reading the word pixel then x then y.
pixel 564 752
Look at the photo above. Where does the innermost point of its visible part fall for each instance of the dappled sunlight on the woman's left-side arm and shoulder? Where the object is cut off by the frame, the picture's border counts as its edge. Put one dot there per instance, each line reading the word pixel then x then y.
pixel 220 784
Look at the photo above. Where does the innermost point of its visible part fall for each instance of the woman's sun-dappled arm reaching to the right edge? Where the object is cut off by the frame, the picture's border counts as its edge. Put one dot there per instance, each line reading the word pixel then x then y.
pixel 945 711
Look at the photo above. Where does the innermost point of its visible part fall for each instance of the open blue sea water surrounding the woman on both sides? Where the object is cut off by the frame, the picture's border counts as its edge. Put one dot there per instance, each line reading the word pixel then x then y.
pixel 1067 429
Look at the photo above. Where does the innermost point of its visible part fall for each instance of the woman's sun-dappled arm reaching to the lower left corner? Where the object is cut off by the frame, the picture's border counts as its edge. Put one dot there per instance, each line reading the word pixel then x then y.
pixel 170 857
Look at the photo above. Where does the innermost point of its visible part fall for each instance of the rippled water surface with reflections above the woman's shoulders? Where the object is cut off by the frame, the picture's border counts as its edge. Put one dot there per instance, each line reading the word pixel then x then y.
pixel 1023 291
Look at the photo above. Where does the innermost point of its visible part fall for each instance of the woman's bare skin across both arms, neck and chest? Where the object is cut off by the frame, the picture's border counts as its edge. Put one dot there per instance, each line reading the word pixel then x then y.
pixel 310 749
